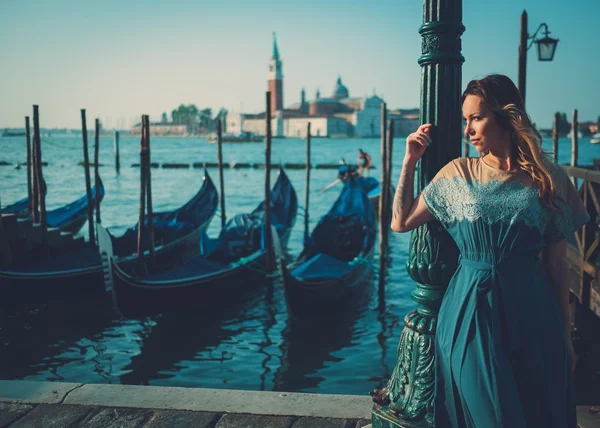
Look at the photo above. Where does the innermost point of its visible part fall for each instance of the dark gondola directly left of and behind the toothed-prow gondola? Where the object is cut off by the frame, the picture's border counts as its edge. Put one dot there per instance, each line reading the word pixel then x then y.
pixel 79 271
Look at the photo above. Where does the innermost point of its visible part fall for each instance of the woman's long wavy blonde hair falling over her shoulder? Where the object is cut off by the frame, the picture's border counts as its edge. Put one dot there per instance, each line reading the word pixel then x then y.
pixel 502 97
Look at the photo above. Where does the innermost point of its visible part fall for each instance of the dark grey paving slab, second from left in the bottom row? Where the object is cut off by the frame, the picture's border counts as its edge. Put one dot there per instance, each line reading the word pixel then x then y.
pixel 53 416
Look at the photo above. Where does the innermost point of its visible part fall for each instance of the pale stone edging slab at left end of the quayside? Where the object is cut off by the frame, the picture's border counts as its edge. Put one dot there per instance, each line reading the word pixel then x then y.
pixel 25 391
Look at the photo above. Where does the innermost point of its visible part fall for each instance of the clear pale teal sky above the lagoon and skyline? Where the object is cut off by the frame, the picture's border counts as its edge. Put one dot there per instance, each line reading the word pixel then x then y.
pixel 121 59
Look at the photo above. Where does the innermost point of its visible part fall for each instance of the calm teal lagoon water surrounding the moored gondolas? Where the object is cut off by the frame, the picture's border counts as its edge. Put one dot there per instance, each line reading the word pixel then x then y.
pixel 252 344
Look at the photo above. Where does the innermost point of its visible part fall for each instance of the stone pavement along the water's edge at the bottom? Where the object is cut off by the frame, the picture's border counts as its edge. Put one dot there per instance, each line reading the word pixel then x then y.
pixel 68 405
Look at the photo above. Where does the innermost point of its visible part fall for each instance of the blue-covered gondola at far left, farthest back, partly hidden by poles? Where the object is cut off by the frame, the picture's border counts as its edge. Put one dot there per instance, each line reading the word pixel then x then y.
pixel 68 218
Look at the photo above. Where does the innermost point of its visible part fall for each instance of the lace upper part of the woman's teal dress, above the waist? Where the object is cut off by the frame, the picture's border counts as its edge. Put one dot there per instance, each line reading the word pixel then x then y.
pixel 469 189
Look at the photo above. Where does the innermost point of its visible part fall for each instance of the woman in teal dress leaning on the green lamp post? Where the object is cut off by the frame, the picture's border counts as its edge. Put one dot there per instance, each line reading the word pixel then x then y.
pixel 504 355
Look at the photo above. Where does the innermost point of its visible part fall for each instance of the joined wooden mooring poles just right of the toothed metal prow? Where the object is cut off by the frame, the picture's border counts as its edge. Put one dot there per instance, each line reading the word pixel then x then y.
pixel 145 192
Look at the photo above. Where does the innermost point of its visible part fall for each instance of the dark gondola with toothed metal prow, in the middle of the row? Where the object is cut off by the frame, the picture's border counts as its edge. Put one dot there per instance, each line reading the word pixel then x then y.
pixel 228 265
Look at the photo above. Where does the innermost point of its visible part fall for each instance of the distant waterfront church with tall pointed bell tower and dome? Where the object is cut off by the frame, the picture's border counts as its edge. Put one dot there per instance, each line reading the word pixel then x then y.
pixel 337 115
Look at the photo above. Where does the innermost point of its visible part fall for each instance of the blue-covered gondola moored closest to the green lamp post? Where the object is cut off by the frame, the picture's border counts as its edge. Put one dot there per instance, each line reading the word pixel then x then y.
pixel 336 258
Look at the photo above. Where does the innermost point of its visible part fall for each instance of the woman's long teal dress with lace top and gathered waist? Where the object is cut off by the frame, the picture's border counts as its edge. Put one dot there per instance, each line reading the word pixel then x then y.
pixel 501 350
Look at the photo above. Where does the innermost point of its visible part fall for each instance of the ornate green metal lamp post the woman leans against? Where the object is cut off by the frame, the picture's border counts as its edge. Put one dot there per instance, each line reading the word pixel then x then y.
pixel 407 400
